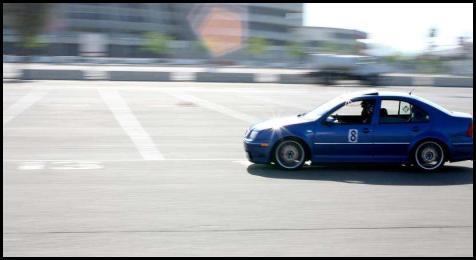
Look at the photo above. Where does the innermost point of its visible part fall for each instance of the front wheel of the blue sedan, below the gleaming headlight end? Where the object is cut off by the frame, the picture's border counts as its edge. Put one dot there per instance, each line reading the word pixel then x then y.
pixel 290 155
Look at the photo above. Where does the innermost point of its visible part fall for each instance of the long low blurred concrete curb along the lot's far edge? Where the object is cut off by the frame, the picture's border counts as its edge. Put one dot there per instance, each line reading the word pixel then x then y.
pixel 385 80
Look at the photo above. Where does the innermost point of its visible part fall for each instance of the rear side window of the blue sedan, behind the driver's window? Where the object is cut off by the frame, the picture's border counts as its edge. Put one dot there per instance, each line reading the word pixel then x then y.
pixel 396 111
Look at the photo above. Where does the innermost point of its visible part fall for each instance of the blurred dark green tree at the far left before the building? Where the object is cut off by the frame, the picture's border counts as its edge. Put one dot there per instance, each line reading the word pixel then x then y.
pixel 28 20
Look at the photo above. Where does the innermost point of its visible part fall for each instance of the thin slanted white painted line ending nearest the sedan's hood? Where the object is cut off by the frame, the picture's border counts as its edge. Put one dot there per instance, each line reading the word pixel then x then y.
pixel 215 107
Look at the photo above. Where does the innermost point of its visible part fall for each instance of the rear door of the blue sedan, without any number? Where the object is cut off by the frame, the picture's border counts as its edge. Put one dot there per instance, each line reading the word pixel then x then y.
pixel 399 122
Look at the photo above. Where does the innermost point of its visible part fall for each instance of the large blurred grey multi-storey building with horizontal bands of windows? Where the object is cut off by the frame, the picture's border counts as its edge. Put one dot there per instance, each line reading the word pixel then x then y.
pixel 123 25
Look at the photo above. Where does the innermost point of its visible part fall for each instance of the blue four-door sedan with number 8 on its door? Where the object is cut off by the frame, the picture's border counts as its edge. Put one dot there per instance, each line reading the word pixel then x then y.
pixel 365 127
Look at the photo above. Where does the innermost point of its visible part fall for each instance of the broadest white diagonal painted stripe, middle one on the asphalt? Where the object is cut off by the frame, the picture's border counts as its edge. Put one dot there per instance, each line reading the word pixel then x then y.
pixel 130 124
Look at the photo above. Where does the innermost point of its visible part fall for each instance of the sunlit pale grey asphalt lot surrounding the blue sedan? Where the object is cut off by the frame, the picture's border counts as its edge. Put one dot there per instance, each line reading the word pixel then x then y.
pixel 100 168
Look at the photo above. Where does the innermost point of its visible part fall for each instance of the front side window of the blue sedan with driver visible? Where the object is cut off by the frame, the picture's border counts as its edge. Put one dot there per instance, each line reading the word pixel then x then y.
pixel 356 112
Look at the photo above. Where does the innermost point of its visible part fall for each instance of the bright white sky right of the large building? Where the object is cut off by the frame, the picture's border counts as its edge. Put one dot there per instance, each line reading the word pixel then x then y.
pixel 395 28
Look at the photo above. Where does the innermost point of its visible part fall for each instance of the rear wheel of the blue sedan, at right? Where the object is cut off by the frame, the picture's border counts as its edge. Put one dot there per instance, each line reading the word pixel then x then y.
pixel 429 156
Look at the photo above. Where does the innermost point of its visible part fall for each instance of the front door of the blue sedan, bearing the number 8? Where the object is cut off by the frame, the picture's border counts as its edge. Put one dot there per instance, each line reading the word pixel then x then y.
pixel 342 136
